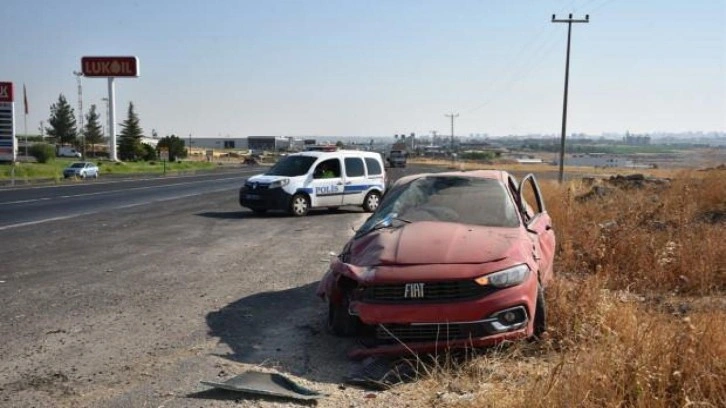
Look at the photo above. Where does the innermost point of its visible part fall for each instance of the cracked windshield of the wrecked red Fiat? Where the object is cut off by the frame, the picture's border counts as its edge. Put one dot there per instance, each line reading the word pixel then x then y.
pixel 465 200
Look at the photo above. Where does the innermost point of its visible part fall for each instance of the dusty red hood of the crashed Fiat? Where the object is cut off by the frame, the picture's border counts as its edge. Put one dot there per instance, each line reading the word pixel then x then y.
pixel 429 242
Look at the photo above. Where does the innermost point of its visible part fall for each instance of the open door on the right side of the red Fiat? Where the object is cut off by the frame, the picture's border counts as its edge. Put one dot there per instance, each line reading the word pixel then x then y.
pixel 539 225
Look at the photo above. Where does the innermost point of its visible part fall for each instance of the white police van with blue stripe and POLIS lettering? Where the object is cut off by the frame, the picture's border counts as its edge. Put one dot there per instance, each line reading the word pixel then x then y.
pixel 315 179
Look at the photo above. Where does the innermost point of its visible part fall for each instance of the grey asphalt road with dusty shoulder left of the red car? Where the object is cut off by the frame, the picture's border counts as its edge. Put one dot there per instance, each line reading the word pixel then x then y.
pixel 128 293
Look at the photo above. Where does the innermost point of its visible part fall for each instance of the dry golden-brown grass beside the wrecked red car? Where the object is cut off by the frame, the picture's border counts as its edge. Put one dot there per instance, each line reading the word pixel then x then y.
pixel 637 314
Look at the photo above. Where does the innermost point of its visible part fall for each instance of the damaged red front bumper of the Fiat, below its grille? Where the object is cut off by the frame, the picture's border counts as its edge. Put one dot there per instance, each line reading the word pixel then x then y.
pixel 397 329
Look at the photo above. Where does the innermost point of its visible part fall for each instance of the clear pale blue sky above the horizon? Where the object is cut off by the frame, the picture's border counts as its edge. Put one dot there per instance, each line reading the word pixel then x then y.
pixel 377 68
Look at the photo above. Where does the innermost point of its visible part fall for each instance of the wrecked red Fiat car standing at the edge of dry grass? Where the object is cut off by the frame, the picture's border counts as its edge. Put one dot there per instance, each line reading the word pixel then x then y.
pixel 448 260
